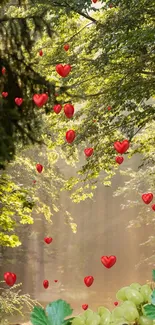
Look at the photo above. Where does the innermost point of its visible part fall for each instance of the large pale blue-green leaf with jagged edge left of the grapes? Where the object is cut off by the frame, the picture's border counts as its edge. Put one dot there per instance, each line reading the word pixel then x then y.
pixel 57 311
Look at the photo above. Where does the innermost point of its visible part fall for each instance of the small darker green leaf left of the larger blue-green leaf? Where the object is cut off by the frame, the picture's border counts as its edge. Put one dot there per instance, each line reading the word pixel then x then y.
pixel 39 317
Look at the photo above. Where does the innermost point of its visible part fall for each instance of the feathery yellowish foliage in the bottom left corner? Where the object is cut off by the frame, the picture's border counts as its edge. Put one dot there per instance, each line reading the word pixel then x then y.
pixel 11 302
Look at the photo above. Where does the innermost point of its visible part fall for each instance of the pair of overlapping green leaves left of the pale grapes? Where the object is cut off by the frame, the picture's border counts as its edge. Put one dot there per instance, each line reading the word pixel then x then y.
pixel 55 314
